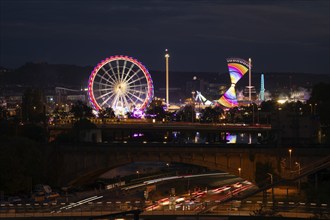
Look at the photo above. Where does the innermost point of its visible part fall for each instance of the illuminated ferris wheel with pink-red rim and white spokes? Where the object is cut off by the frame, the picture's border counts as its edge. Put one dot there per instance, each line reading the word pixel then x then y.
pixel 122 83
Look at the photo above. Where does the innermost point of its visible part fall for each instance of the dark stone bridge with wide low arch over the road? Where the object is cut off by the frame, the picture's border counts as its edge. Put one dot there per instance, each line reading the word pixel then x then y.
pixel 79 162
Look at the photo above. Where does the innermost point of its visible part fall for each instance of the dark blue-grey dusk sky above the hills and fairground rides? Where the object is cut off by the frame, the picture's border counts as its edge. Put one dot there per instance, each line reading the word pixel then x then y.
pixel 279 35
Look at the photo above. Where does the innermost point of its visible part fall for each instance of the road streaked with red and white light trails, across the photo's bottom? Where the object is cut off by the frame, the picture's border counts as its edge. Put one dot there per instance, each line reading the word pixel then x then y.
pixel 208 199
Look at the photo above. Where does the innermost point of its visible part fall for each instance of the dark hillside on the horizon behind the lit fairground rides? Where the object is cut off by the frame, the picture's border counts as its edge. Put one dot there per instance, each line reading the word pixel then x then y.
pixel 71 76
